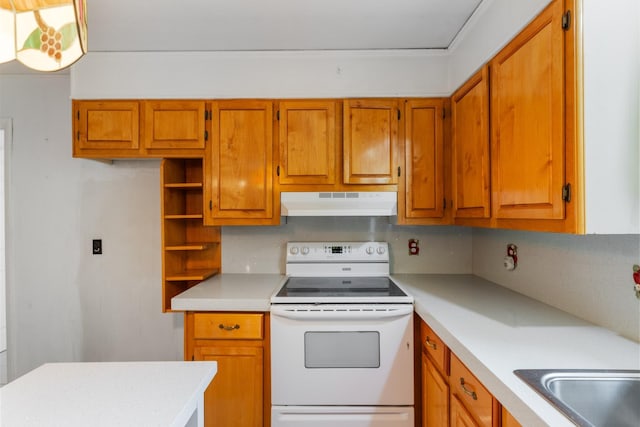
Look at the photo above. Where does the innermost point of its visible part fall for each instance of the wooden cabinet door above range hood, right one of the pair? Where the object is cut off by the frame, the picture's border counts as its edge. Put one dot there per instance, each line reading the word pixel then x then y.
pixel 370 141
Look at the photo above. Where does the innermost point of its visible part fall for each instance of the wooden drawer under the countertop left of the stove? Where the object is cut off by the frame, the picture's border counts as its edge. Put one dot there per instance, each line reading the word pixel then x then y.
pixel 239 326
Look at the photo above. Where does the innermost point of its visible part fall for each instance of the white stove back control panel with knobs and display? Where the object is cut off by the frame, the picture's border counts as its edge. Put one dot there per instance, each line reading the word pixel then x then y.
pixel 337 252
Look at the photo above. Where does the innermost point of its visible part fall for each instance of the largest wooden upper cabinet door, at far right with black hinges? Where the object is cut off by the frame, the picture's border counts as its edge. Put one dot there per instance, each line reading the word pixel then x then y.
pixel 527 121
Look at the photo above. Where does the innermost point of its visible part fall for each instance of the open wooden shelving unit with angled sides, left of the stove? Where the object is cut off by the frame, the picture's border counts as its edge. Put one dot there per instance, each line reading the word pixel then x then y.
pixel 190 250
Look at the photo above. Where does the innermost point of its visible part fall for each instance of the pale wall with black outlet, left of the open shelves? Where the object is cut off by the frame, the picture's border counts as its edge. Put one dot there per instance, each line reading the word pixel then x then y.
pixel 65 304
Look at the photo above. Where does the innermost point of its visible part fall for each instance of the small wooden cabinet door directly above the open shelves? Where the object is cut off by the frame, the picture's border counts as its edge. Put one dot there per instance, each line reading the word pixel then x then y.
pixel 174 124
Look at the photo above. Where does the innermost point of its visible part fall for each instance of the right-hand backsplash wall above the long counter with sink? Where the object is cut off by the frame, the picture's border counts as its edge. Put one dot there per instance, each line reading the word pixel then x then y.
pixel 589 276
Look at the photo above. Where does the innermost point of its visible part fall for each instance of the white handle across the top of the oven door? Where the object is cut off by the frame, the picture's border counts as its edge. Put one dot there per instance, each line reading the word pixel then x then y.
pixel 341 314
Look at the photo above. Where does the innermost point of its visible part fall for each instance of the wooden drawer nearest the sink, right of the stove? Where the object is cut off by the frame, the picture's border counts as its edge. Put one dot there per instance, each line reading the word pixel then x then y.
pixel 466 387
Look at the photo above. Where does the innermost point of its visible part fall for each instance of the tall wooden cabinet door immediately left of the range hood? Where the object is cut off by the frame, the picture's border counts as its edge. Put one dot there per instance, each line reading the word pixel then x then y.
pixel 239 178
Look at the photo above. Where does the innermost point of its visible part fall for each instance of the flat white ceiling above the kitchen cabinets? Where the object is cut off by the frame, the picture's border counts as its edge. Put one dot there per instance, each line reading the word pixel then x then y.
pixel 224 25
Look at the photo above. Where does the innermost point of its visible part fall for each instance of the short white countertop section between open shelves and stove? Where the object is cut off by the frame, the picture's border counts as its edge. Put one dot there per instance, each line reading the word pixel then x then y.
pixel 230 292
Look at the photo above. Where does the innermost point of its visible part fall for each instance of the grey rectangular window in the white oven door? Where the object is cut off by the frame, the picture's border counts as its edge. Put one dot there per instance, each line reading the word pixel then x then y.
pixel 344 349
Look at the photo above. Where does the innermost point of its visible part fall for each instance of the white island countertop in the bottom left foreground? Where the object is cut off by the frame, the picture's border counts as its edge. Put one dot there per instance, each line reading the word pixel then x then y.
pixel 140 394
